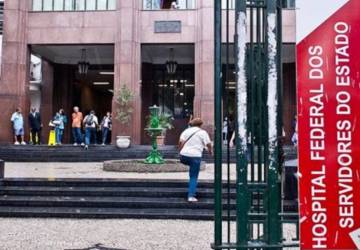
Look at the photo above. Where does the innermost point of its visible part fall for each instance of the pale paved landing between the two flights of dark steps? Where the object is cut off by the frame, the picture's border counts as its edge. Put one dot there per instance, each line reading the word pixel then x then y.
pixel 93 170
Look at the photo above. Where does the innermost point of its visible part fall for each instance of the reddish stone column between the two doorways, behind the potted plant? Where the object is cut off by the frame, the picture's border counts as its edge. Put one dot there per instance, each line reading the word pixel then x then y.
pixel 127 65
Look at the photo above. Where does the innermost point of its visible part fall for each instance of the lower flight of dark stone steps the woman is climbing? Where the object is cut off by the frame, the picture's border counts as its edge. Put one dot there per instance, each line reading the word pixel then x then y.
pixel 107 198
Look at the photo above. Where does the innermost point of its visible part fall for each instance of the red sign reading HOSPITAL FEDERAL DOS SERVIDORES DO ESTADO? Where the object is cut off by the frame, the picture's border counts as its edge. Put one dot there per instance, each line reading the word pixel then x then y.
pixel 328 65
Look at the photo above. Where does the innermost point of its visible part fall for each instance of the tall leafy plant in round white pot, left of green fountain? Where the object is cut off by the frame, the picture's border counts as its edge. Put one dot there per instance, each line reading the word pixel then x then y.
pixel 124 98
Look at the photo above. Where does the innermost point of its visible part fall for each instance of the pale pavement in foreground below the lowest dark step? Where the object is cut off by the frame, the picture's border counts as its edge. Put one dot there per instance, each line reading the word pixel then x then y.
pixel 61 234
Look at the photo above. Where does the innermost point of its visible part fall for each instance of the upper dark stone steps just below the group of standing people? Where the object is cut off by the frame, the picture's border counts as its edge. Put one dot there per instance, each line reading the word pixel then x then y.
pixel 68 153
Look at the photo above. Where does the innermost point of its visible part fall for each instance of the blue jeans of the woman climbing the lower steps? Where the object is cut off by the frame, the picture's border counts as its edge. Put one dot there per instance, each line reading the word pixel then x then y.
pixel 194 169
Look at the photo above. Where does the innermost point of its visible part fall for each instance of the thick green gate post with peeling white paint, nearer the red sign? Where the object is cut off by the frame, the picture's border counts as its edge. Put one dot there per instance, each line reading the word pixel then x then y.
pixel 272 113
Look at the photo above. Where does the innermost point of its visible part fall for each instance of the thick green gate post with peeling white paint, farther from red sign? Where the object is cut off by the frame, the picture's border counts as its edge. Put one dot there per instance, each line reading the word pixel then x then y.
pixel 241 126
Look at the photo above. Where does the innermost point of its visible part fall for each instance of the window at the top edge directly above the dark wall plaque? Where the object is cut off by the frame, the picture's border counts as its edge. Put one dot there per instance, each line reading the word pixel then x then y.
pixel 166 4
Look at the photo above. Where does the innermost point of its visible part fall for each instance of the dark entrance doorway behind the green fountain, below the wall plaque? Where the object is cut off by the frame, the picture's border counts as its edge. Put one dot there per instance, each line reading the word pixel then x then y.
pixel 170 87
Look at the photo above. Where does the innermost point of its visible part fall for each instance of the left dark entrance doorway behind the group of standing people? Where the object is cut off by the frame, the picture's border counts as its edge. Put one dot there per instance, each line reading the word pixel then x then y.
pixel 65 85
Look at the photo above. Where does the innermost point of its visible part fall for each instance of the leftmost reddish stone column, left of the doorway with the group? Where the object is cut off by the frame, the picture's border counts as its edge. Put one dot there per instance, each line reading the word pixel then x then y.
pixel 14 83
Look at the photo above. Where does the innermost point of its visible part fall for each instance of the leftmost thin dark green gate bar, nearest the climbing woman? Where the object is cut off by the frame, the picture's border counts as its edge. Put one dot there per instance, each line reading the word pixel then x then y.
pixel 218 125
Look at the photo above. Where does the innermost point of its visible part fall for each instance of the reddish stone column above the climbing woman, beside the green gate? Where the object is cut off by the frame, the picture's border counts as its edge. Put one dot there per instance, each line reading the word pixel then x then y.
pixel 204 64
